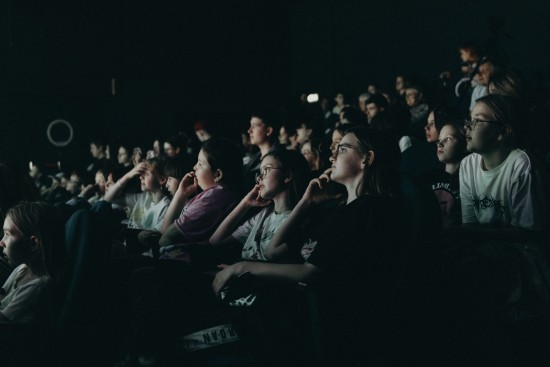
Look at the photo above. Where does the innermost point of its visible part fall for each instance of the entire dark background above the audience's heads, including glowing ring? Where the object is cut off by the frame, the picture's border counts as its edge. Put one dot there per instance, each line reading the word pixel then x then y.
pixel 175 61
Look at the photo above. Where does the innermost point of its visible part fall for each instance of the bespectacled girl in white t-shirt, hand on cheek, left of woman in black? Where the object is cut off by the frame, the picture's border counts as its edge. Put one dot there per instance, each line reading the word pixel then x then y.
pixel 283 177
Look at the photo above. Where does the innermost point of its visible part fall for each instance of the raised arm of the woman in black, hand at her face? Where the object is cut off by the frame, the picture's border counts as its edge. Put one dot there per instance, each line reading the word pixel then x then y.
pixel 315 193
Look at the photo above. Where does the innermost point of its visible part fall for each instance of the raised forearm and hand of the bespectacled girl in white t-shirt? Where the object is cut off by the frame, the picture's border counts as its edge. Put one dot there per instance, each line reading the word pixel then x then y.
pixel 223 233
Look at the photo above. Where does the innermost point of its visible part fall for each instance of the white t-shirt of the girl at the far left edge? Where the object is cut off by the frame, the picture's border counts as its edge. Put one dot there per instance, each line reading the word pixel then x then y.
pixel 29 302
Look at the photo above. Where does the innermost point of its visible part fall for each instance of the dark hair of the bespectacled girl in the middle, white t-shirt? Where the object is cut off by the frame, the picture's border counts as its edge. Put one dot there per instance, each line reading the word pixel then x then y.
pixel 295 166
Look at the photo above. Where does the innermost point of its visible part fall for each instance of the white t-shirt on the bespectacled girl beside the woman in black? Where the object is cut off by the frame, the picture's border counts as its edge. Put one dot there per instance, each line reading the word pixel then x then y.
pixel 257 232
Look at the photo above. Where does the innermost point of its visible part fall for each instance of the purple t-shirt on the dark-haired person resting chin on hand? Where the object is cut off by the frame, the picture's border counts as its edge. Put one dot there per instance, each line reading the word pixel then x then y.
pixel 202 215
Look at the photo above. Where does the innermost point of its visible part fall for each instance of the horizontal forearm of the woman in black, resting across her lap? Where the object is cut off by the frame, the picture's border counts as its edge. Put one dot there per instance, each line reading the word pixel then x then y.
pixel 292 273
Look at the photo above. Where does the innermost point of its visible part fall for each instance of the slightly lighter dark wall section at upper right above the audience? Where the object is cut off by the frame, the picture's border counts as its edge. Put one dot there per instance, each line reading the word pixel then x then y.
pixel 344 45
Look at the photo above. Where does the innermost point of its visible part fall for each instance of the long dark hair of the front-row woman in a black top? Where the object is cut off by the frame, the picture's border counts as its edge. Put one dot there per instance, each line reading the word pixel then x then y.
pixel 381 177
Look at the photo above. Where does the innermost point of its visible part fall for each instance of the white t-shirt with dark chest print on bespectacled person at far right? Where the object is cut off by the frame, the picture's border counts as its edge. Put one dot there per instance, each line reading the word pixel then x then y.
pixel 505 195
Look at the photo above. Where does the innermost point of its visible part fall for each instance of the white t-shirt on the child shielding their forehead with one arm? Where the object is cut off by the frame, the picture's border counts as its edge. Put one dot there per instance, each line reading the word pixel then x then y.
pixel 144 214
